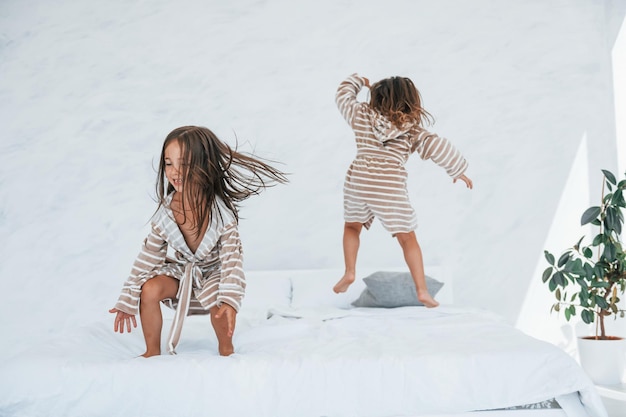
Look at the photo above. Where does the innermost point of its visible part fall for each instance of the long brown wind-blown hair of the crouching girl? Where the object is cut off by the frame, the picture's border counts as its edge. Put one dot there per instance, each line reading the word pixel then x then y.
pixel 213 169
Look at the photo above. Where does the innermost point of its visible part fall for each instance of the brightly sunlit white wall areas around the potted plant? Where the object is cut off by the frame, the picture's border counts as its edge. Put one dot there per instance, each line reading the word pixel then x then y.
pixel 563 232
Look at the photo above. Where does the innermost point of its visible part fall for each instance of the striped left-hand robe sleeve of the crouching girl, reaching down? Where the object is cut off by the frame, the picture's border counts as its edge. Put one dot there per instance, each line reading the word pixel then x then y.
pixel 153 253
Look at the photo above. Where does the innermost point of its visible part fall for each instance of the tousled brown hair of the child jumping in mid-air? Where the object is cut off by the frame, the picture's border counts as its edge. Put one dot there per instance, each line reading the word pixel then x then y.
pixel 397 99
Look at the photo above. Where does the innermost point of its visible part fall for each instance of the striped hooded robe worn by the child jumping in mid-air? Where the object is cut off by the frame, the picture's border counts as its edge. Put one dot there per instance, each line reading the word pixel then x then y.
pixel 375 184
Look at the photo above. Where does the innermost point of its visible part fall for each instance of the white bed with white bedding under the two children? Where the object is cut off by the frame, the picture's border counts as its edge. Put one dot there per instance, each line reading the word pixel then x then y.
pixel 302 351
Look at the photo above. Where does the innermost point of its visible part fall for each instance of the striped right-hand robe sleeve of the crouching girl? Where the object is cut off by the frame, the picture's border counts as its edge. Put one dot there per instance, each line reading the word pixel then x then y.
pixel 232 281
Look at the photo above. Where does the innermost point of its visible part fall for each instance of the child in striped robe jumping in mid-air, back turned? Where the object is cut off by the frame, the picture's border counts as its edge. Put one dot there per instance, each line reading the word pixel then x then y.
pixel 388 130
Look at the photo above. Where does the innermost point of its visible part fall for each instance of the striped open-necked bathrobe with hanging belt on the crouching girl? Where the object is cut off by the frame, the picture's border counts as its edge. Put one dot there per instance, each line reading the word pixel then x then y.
pixel 211 276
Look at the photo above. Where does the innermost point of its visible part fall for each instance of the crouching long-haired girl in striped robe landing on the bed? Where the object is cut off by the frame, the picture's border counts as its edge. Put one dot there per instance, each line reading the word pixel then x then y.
pixel 199 183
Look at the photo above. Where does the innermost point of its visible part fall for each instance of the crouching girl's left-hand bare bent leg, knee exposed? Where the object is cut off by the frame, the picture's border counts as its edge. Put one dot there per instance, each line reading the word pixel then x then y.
pixel 152 292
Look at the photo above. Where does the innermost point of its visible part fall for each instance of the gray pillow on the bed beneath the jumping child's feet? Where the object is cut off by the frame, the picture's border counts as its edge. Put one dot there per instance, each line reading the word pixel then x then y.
pixel 393 289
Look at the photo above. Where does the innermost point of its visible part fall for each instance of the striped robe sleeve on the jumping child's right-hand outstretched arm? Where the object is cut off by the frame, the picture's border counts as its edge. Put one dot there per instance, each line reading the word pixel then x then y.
pixel 431 146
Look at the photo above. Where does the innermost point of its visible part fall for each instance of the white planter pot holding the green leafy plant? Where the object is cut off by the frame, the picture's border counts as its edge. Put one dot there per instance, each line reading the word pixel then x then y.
pixel 603 360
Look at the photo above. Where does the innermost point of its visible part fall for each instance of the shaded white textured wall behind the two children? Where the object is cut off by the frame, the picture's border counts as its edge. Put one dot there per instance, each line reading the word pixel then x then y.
pixel 88 91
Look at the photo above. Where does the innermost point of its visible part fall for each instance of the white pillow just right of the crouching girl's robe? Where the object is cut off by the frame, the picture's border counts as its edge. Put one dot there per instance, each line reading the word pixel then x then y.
pixel 265 290
